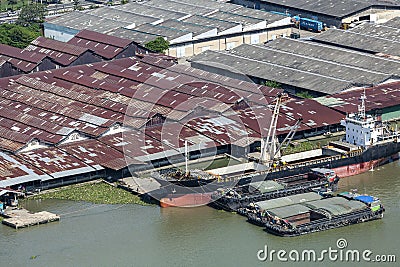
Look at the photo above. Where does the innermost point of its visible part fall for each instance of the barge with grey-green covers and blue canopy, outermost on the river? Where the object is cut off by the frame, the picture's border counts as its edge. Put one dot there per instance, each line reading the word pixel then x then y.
pixel 310 212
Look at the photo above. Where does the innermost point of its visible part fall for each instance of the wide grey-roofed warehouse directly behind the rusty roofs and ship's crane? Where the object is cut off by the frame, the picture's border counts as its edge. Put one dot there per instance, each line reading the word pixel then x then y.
pixel 300 65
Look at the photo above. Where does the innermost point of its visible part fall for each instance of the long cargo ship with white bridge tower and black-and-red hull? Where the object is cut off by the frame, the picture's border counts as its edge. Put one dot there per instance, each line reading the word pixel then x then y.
pixel 368 143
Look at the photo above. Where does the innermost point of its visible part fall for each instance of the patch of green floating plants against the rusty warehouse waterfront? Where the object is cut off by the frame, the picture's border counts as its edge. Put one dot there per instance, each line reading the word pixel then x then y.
pixel 98 193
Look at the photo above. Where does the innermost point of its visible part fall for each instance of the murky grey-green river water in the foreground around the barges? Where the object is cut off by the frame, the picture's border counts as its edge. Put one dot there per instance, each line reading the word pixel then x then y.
pixel 133 235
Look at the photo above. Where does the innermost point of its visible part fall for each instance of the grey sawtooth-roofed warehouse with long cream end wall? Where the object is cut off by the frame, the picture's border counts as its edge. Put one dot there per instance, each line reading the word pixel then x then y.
pixel 191 27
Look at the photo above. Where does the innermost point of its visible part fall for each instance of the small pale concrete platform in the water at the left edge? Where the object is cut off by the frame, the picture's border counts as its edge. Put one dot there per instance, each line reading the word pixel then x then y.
pixel 20 218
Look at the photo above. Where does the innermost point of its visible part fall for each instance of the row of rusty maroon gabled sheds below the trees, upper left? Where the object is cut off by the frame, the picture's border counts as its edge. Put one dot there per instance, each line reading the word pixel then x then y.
pixel 45 53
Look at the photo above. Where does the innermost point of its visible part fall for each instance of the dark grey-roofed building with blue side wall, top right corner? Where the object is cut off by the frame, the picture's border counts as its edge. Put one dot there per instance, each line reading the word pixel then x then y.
pixel 338 14
